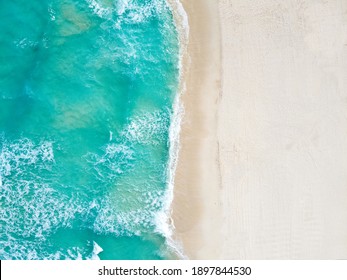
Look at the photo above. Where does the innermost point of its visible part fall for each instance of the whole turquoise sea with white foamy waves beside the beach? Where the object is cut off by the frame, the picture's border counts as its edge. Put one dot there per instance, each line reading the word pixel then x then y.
pixel 86 98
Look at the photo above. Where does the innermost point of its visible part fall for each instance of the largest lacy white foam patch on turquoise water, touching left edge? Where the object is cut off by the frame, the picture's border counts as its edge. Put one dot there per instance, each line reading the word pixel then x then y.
pixel 31 208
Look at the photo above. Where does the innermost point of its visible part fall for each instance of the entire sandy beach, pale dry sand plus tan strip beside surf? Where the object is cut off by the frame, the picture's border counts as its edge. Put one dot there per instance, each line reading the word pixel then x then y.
pixel 262 171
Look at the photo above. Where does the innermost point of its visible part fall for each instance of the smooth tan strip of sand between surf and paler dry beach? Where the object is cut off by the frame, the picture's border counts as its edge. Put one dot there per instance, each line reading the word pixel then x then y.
pixel 197 172
